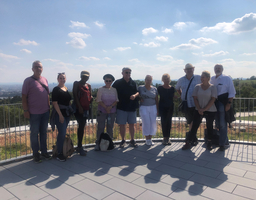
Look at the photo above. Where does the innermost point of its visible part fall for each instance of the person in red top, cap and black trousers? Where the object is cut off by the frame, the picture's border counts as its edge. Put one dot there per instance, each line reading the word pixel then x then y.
pixel 82 98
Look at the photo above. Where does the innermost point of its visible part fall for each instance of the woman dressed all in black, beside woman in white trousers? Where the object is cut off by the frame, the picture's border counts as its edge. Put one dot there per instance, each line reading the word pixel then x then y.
pixel 166 92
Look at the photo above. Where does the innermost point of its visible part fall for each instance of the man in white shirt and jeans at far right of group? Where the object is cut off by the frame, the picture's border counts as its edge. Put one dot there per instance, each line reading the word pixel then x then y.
pixel 226 89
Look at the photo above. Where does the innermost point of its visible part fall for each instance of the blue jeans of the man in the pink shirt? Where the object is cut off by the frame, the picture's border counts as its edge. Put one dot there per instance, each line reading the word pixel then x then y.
pixel 38 124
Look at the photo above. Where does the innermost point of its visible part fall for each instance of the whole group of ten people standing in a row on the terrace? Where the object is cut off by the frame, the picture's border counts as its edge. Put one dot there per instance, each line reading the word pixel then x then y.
pixel 118 102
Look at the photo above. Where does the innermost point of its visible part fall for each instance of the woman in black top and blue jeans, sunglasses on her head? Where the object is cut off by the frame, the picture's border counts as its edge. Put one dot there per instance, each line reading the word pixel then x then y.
pixel 61 101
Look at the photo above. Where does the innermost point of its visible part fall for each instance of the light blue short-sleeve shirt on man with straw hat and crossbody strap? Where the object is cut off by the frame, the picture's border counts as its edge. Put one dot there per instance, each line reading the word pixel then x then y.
pixel 182 85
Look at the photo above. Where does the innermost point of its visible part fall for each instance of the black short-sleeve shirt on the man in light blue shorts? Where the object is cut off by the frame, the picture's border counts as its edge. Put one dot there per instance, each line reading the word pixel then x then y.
pixel 124 91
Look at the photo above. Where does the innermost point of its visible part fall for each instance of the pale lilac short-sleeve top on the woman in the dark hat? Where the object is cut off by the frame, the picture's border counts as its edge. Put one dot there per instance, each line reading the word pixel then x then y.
pixel 108 96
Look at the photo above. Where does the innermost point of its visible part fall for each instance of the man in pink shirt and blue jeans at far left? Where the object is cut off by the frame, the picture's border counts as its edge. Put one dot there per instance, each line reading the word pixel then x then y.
pixel 36 105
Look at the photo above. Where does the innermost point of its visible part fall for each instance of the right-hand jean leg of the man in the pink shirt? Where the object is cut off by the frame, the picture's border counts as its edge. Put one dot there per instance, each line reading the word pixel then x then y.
pixel 43 131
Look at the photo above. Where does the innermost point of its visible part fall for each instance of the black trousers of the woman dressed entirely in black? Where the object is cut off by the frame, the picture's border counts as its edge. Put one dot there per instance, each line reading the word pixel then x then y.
pixel 166 120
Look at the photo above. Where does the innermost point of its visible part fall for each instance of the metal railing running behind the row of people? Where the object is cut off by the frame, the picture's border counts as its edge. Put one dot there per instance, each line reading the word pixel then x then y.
pixel 15 131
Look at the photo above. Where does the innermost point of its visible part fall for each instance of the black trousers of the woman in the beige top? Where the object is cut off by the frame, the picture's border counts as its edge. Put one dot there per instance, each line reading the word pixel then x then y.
pixel 197 119
